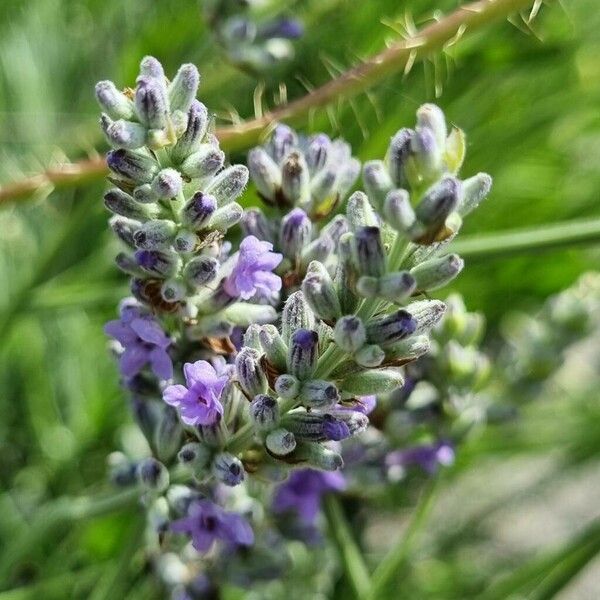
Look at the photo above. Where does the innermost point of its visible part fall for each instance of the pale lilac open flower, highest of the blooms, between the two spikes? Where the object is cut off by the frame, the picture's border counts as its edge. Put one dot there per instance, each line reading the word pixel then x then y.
pixel 253 271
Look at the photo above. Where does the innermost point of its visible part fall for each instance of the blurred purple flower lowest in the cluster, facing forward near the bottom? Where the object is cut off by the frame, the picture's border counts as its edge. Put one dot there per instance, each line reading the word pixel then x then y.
pixel 207 523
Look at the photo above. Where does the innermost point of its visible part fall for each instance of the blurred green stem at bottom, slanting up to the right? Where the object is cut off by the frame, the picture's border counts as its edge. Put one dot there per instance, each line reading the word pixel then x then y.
pixel 390 567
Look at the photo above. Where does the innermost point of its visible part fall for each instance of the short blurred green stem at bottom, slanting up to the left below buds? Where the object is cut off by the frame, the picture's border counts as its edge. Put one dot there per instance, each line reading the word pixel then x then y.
pixel 349 554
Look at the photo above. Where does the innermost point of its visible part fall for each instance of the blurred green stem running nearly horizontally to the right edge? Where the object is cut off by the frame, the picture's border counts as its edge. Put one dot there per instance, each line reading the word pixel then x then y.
pixel 545 237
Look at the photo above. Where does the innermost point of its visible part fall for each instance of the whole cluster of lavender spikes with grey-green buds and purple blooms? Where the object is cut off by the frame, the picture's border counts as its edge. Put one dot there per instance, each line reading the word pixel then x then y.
pixel 244 363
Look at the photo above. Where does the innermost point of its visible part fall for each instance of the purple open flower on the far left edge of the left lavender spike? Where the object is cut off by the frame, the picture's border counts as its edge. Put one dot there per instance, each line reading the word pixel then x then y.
pixel 143 340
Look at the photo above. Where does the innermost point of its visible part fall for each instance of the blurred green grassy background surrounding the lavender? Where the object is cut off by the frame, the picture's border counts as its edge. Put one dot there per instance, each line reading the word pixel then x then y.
pixel 529 100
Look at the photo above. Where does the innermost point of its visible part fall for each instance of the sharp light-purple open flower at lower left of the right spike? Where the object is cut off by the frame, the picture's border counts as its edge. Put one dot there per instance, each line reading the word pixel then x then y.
pixel 199 402
